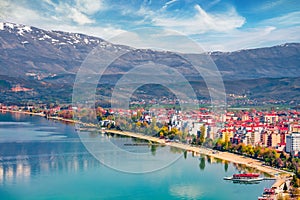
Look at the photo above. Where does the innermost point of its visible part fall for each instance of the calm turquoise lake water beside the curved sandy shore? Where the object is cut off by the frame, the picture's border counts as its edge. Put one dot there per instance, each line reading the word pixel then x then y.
pixel 43 159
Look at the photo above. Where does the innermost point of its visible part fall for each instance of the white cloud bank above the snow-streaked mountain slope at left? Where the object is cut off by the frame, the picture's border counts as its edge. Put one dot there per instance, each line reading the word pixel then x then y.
pixel 62 20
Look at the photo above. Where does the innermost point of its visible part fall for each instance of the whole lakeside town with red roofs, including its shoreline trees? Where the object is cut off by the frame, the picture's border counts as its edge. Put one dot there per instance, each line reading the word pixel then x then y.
pixel 272 136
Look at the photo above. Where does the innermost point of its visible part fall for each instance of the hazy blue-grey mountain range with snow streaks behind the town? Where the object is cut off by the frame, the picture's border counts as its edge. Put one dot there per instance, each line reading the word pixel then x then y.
pixel 47 62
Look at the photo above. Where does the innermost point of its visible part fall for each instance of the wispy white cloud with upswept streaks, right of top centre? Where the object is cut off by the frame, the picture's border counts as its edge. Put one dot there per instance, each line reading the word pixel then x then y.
pixel 202 22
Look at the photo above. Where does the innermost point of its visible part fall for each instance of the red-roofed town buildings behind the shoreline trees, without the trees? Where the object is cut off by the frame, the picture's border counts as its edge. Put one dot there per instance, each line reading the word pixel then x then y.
pixel 276 129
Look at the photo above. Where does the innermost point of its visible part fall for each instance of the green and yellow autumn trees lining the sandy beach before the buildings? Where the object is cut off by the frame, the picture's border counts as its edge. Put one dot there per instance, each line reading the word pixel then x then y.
pixel 270 156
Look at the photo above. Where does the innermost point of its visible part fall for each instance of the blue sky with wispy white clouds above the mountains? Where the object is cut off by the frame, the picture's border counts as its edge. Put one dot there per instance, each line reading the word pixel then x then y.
pixel 224 25
